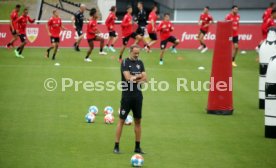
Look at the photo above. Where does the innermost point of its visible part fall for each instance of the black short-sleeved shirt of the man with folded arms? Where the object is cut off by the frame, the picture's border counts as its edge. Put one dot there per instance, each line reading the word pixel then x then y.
pixel 134 67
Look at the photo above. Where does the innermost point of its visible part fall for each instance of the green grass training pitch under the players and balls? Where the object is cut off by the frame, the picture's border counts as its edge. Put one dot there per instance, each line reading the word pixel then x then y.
pixel 47 129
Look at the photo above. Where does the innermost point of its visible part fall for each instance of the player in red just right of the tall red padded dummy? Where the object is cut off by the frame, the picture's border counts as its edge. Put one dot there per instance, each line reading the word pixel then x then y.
pixel 235 18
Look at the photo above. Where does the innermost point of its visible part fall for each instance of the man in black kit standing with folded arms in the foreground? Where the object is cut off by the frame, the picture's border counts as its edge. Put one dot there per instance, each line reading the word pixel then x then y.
pixel 133 75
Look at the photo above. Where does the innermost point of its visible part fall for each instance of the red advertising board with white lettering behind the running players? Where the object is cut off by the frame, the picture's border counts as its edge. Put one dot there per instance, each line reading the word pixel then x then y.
pixel 249 35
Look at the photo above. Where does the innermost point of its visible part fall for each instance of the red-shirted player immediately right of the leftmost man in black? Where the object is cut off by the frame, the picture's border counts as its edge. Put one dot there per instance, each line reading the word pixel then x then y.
pixel 91 34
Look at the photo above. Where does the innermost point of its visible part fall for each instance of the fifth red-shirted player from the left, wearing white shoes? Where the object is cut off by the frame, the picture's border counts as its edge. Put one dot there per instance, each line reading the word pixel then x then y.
pixel 110 24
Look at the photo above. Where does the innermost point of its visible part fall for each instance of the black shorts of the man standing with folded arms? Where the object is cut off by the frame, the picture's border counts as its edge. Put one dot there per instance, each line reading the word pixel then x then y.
pixel 131 103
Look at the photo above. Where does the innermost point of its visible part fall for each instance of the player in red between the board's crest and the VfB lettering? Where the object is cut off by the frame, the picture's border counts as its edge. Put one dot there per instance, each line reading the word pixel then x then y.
pixel 53 28
